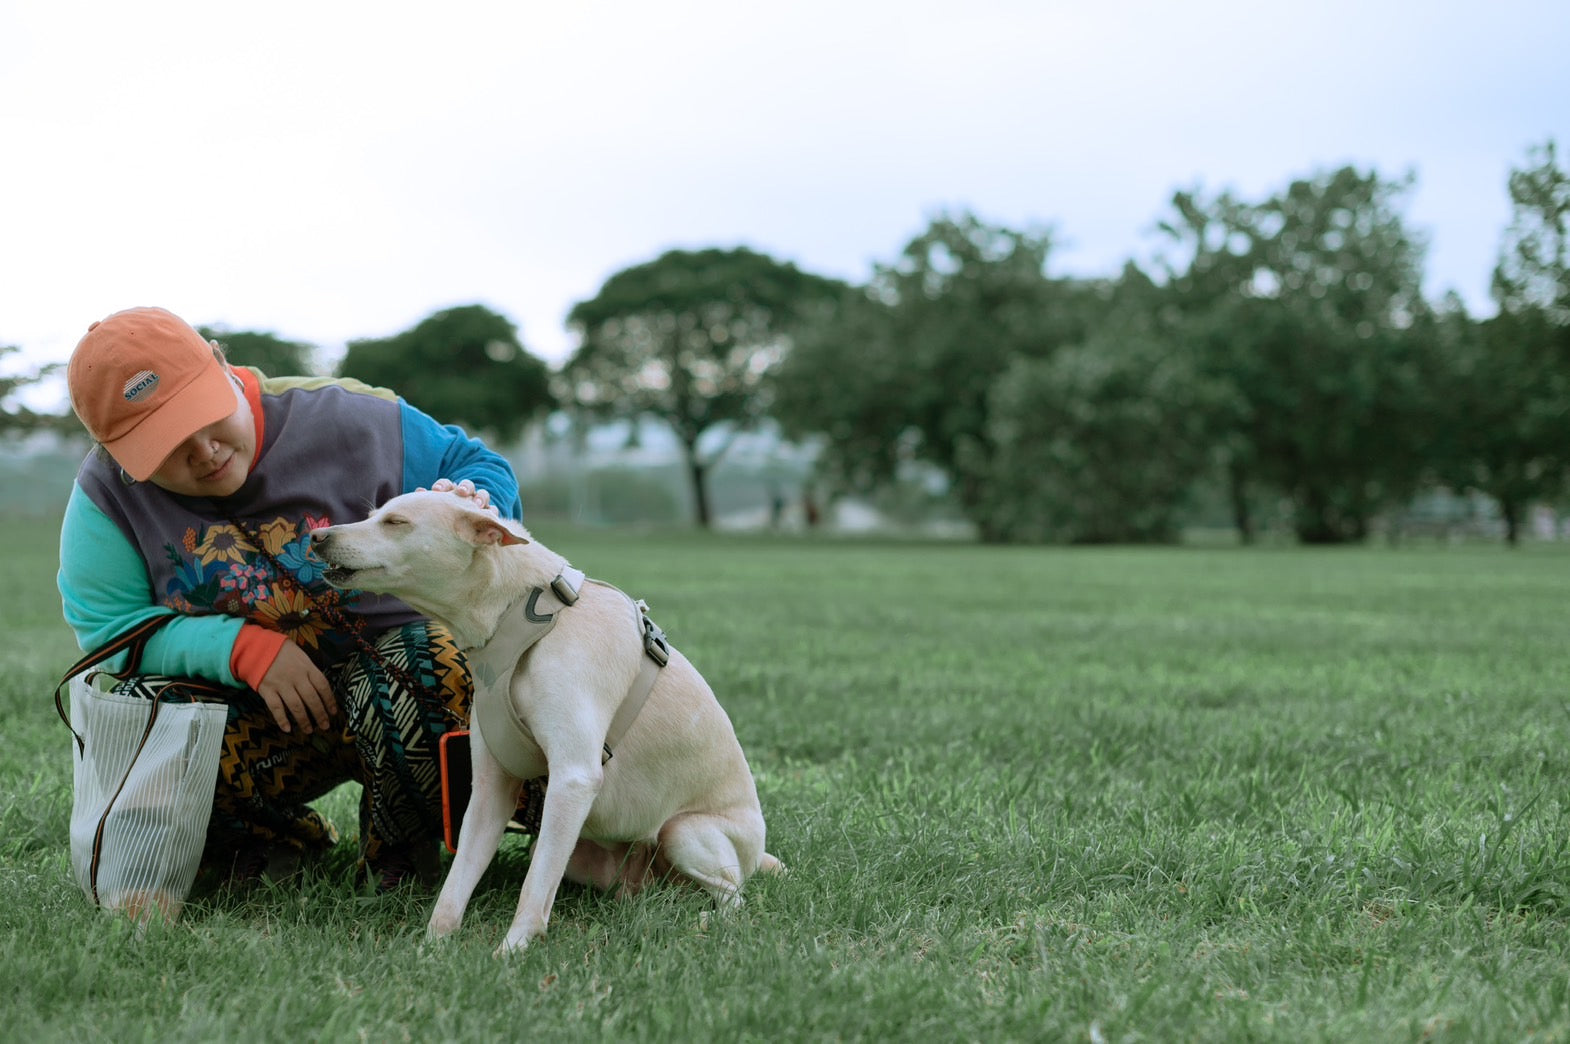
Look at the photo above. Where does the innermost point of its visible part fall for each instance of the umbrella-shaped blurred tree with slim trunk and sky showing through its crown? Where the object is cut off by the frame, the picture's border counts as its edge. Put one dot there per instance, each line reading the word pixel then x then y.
pixel 692 338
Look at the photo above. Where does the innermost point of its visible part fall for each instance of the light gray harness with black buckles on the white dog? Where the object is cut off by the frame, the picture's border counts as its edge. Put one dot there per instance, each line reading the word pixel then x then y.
pixel 522 626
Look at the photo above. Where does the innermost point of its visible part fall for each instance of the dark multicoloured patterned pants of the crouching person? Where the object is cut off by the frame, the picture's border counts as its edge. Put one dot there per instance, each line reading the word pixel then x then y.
pixel 389 745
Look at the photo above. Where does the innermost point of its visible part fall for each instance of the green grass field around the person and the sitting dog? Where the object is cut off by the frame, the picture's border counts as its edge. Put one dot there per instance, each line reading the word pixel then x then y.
pixel 1026 795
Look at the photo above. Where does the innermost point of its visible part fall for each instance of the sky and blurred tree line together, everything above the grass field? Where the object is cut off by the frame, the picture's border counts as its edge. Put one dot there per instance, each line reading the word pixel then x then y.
pixel 1021 274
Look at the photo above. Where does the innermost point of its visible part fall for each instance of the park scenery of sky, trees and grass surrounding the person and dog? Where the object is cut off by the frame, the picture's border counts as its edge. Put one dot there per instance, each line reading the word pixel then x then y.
pixel 1051 312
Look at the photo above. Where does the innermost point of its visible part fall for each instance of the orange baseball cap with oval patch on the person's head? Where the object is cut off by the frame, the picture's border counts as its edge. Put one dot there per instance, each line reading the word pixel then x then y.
pixel 142 382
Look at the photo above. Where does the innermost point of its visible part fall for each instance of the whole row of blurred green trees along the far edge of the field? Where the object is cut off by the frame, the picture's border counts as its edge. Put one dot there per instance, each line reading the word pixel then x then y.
pixel 1280 359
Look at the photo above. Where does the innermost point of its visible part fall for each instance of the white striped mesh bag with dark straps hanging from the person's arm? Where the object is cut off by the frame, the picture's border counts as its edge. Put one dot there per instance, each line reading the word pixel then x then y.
pixel 144 786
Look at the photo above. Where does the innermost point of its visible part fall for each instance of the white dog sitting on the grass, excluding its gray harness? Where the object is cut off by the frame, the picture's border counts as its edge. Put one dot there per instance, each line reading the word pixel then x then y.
pixel 676 794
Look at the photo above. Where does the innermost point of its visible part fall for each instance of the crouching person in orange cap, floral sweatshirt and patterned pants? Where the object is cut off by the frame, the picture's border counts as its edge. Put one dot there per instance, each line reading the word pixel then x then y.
pixel 199 502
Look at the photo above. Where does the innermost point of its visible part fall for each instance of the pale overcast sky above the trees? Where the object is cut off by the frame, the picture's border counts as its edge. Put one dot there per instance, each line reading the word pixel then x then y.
pixel 335 170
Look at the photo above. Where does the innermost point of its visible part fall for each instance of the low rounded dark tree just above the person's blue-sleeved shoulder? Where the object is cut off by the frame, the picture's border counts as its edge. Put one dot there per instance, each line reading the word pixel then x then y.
pixel 464 367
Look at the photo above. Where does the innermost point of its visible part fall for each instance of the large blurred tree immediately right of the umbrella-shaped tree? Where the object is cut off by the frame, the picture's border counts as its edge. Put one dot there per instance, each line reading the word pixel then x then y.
pixel 905 370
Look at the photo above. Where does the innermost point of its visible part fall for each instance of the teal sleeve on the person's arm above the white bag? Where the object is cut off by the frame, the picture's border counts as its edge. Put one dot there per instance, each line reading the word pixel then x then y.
pixel 104 593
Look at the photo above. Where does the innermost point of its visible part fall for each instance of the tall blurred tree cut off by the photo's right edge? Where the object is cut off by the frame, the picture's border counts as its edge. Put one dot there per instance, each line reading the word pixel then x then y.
pixel 1510 378
